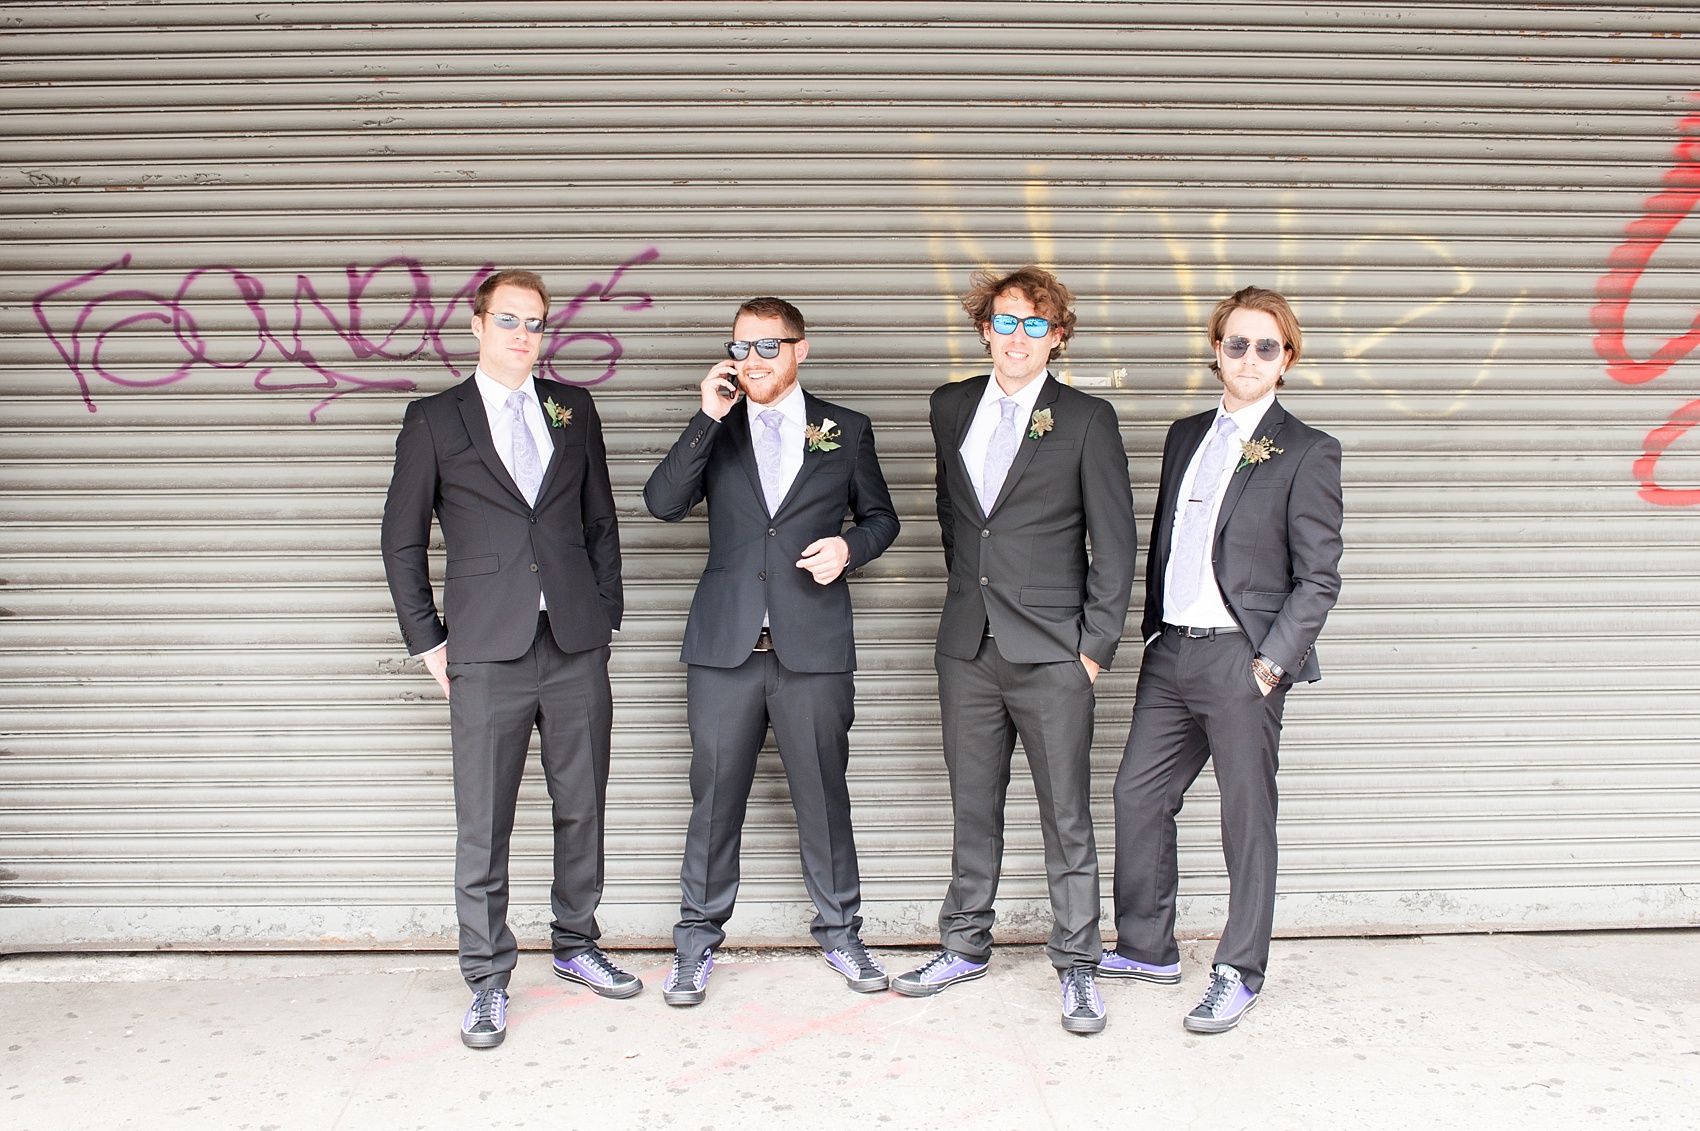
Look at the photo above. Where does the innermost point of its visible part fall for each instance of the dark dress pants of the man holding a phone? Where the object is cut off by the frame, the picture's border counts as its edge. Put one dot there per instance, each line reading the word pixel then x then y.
pixel 730 712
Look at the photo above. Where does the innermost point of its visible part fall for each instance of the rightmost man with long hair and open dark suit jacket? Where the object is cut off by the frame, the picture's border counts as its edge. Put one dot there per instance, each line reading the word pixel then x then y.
pixel 1245 565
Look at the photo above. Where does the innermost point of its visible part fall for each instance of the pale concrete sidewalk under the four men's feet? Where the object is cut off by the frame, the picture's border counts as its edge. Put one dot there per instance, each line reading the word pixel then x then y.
pixel 1482 1032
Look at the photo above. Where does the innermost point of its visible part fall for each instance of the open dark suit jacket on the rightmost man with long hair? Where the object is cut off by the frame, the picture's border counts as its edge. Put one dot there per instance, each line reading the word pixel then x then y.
pixel 1278 538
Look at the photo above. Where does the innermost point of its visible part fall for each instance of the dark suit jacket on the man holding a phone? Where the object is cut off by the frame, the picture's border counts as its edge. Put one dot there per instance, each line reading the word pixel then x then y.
pixel 754 559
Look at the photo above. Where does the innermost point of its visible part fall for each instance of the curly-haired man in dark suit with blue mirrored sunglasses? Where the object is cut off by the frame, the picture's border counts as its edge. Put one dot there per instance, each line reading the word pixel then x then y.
pixel 1028 470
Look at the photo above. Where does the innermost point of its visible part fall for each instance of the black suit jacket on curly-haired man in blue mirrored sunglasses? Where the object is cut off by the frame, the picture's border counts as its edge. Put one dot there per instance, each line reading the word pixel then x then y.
pixel 1024 569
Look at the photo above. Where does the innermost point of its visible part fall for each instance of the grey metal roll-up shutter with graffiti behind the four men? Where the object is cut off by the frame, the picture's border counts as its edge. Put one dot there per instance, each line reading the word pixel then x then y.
pixel 241 239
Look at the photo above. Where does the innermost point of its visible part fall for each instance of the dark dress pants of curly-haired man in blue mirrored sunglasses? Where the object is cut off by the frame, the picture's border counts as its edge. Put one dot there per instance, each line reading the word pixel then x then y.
pixel 987 703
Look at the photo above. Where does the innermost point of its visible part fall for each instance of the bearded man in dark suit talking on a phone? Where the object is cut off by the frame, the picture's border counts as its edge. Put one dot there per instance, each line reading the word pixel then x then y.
pixel 769 639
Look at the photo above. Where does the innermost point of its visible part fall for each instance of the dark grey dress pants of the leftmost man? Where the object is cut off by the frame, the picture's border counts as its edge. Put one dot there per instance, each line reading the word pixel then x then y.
pixel 492 713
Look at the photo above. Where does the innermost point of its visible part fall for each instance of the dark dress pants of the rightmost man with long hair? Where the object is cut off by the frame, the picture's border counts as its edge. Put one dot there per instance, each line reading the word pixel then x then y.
pixel 1198 702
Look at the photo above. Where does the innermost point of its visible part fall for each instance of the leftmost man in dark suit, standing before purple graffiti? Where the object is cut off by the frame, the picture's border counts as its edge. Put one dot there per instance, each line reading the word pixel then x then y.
pixel 519 480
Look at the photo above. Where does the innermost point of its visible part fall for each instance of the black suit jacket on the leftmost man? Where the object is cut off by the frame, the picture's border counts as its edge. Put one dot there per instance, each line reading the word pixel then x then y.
pixel 502 552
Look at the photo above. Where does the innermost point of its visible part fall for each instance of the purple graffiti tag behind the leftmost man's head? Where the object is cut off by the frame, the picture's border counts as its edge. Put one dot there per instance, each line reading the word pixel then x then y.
pixel 388 314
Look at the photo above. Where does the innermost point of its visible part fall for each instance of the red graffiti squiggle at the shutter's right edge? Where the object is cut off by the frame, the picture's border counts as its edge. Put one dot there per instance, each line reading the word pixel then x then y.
pixel 1618 290
